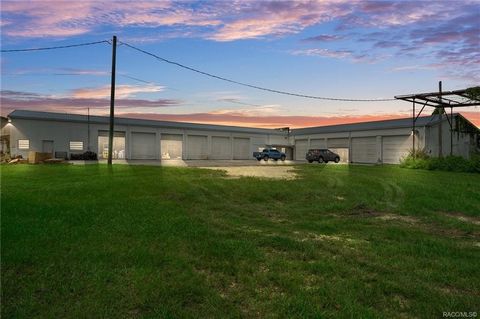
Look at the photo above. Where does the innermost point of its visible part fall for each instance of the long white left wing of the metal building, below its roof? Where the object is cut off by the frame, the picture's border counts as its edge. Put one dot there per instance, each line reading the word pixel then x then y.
pixel 63 134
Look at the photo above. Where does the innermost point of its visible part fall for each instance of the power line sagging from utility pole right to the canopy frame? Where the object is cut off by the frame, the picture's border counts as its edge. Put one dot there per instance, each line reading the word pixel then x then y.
pixel 250 85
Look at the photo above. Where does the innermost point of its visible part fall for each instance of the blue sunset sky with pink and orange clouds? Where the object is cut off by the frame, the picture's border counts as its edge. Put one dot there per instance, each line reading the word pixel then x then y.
pixel 331 48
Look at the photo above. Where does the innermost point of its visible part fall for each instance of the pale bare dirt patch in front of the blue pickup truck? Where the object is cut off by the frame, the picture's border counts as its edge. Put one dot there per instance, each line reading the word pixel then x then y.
pixel 276 172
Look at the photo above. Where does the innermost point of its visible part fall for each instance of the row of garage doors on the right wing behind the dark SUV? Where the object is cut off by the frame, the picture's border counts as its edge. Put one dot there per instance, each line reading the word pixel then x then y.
pixel 363 149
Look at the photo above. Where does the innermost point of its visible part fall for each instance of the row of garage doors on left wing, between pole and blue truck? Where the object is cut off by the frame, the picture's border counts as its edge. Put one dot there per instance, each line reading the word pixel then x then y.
pixel 143 146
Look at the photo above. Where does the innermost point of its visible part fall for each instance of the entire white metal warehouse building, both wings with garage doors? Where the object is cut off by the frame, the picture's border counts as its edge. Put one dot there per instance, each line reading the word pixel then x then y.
pixel 368 142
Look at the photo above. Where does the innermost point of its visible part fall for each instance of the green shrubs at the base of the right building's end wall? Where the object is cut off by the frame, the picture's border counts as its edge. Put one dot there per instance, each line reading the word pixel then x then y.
pixel 448 163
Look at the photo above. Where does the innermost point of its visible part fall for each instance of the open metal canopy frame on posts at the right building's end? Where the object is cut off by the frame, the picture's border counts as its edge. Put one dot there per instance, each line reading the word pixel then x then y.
pixel 439 100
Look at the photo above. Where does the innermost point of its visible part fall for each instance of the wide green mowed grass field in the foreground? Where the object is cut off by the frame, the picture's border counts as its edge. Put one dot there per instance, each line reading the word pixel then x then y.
pixel 164 242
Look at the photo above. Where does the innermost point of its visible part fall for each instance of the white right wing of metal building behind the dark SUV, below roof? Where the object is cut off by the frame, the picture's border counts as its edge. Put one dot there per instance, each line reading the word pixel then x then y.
pixel 388 141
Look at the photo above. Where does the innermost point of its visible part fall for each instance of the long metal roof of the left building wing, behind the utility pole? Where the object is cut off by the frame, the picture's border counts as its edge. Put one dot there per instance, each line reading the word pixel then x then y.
pixel 65 117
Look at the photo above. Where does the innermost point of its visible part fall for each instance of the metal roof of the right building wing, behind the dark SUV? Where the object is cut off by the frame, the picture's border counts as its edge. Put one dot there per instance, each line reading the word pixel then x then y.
pixel 373 125
